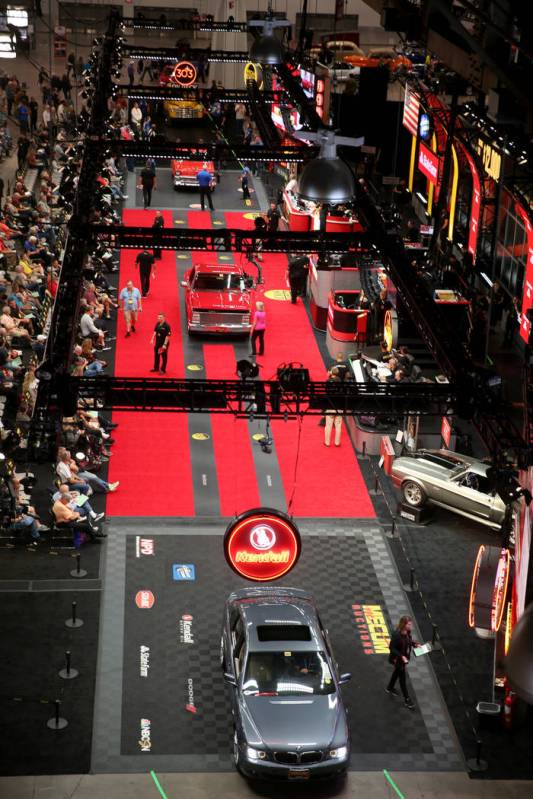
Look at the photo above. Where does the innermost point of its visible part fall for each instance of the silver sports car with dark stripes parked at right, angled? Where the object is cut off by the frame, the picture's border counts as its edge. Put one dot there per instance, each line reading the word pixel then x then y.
pixel 451 480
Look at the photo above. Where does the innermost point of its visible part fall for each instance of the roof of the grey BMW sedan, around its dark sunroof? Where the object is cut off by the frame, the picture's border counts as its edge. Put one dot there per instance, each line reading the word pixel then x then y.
pixel 283 612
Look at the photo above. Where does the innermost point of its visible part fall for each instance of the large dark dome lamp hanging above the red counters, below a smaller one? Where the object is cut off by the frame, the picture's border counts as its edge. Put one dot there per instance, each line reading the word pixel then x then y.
pixel 327 179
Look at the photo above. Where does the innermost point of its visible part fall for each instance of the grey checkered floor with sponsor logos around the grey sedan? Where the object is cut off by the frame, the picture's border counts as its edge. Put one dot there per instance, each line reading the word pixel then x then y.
pixel 161 702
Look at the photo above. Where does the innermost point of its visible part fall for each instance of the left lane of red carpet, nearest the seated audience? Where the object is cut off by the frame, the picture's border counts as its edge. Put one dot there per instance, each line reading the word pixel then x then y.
pixel 151 457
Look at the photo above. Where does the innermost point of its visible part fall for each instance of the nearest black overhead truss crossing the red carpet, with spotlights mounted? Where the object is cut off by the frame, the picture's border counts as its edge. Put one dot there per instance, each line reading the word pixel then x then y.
pixel 265 398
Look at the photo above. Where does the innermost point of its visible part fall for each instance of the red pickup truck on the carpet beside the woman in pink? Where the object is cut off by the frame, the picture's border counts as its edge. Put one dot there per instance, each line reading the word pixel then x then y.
pixel 218 299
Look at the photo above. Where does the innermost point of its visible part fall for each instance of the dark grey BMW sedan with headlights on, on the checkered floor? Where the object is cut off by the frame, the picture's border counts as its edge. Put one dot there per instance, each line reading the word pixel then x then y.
pixel 288 715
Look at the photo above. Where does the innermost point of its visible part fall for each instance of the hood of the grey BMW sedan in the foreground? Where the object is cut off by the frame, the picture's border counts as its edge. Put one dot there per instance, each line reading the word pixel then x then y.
pixel 292 721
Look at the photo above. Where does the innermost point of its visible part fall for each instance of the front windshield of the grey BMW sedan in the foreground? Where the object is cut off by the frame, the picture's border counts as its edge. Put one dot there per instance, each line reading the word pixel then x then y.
pixel 287 674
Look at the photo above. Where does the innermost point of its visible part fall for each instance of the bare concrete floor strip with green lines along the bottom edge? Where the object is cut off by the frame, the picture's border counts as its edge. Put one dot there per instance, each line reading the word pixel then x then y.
pixel 368 785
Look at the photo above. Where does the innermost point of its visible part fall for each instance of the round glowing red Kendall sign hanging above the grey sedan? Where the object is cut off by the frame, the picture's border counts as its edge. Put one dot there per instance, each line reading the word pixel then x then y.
pixel 262 544
